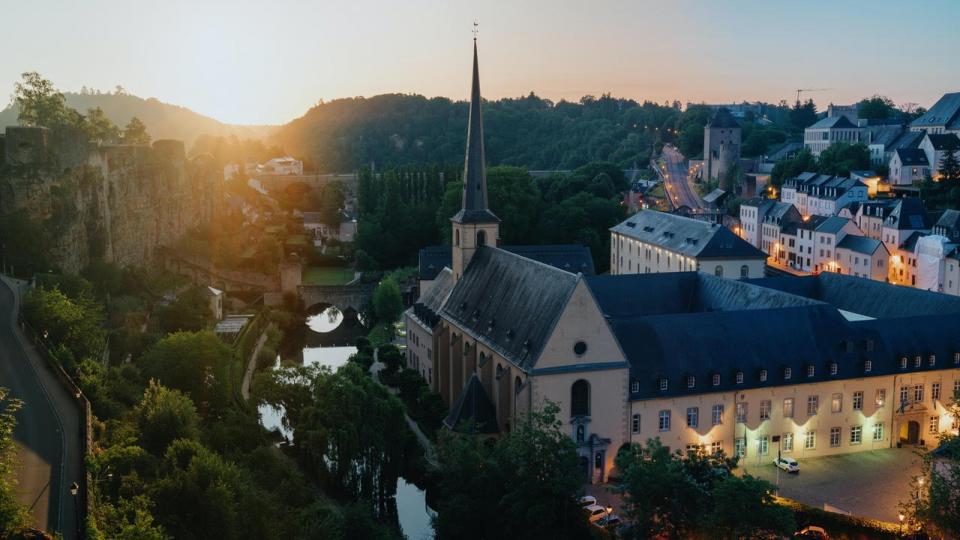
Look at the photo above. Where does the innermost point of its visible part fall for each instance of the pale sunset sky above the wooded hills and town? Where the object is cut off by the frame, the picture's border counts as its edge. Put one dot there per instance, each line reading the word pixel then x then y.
pixel 267 62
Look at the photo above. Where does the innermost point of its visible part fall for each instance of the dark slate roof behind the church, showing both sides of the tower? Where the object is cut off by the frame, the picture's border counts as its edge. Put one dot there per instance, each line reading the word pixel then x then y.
pixel 569 257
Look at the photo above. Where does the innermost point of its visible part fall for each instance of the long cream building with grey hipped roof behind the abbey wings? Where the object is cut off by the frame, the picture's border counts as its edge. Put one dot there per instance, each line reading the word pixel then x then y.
pixel 652 242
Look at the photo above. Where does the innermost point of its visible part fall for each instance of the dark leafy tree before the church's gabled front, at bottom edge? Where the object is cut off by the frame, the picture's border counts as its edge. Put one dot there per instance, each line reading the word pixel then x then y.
pixel 522 485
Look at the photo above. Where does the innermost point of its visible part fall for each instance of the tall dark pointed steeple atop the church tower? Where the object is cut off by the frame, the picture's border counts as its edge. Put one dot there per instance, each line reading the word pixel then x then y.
pixel 474 207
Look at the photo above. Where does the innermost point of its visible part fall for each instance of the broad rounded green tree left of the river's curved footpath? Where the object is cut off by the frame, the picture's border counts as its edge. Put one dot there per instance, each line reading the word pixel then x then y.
pixel 196 363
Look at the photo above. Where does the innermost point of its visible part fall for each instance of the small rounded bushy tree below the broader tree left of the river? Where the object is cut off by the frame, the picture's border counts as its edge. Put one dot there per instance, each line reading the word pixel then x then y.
pixel 163 416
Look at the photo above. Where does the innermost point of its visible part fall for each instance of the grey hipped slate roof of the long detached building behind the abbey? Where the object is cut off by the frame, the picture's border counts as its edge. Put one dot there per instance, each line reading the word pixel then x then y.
pixel 690 237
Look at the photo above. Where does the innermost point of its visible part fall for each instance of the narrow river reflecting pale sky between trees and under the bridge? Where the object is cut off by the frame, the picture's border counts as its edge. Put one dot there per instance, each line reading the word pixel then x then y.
pixel 324 338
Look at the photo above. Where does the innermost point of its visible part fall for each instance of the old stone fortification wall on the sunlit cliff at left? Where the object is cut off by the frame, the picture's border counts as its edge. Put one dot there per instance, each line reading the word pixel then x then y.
pixel 116 202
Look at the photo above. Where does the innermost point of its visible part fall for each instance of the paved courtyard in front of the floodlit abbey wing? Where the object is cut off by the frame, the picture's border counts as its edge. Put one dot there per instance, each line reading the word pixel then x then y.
pixel 869 484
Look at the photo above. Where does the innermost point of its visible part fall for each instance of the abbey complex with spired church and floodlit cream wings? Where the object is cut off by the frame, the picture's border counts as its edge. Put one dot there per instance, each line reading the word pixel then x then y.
pixel 822 364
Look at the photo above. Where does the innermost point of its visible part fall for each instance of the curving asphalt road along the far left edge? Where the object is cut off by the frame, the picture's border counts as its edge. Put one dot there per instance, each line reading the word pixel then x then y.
pixel 49 461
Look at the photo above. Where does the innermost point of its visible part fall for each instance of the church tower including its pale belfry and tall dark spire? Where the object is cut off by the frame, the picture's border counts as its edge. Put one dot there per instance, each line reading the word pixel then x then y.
pixel 474 225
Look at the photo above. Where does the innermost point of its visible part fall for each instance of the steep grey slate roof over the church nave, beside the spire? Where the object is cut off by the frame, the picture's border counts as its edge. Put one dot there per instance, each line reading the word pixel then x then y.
pixel 509 302
